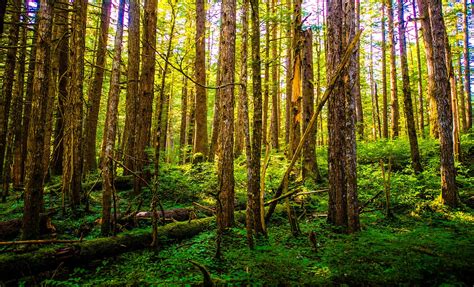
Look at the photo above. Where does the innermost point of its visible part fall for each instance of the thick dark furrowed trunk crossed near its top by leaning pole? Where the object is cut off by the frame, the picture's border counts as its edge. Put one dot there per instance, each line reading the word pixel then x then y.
pixel 343 204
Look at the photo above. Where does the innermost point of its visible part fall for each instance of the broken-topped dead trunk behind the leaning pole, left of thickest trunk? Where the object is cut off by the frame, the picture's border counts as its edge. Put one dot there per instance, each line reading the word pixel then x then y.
pixel 310 167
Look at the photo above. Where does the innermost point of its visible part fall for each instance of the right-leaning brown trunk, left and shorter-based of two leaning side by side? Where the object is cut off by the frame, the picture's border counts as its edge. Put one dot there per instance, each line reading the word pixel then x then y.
pixel 95 91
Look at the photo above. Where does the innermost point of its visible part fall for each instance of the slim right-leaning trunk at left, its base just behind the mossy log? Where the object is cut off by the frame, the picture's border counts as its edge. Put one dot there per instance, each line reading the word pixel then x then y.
pixel 110 129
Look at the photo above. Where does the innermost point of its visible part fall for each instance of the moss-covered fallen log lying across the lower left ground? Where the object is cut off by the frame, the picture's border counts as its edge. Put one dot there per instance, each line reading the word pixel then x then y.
pixel 19 265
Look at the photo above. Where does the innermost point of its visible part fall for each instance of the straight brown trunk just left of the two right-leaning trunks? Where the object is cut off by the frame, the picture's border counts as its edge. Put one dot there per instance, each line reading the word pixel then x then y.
pixel 72 159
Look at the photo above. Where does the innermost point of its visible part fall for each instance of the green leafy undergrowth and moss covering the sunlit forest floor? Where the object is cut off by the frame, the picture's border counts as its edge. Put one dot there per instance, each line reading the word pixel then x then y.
pixel 423 243
